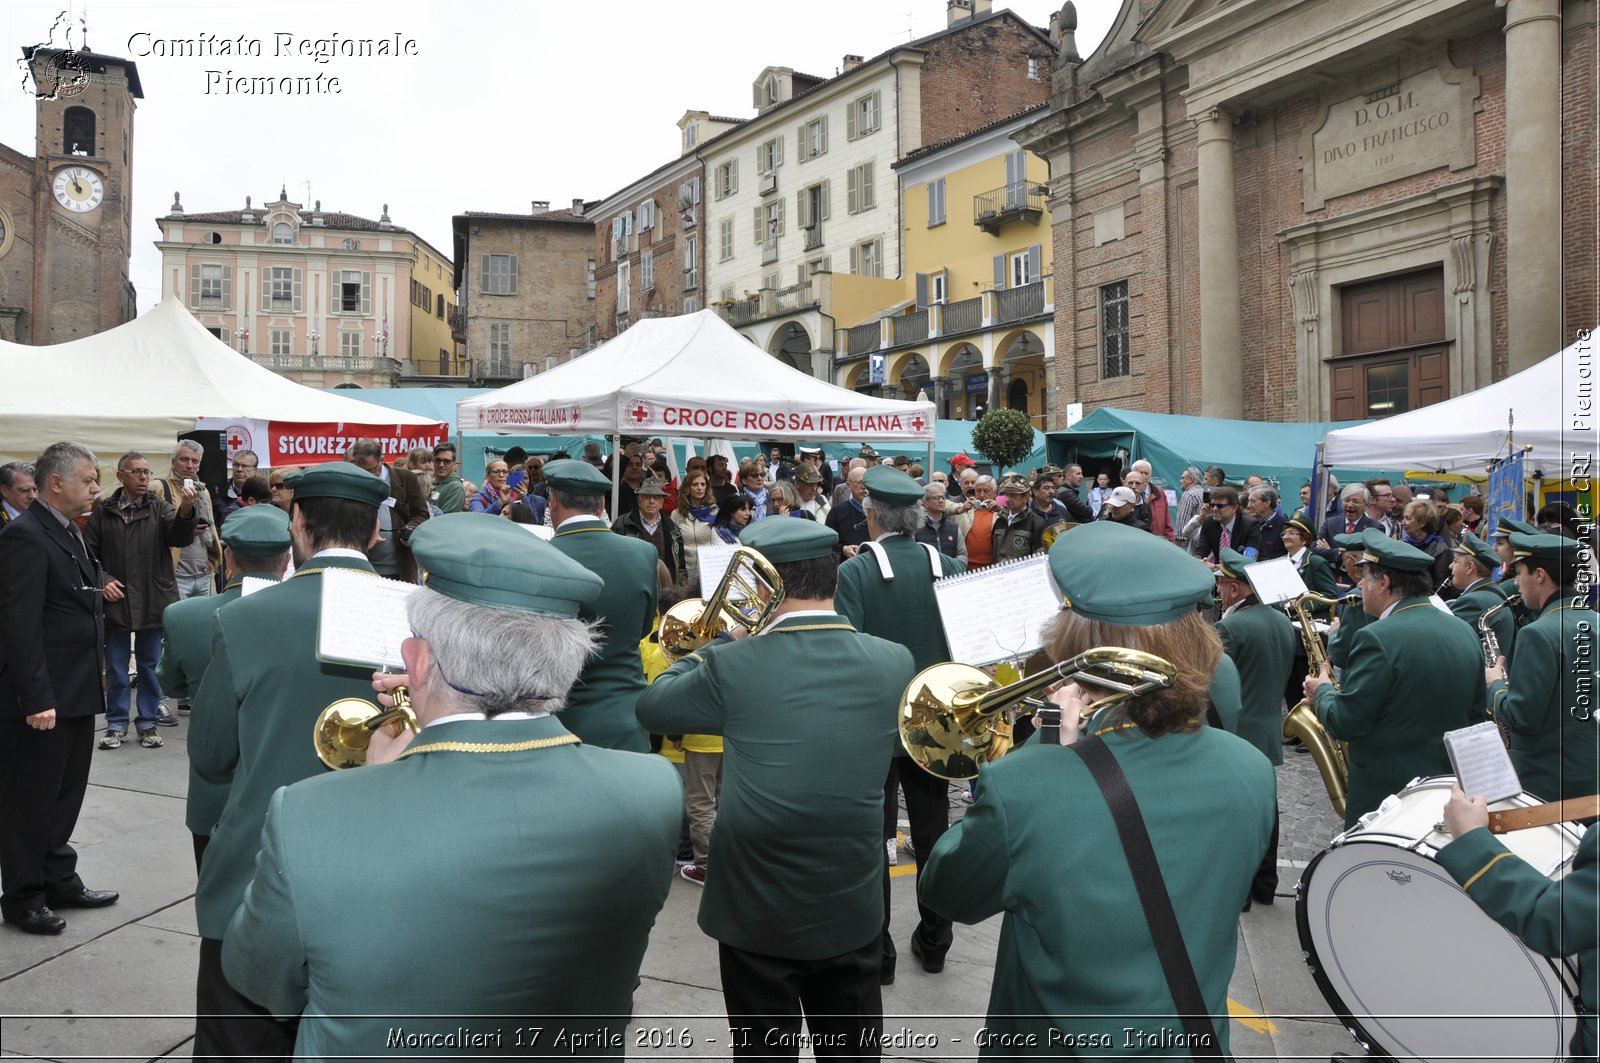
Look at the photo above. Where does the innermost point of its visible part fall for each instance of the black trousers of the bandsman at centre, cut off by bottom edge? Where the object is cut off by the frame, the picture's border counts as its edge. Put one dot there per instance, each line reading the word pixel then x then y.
pixel 841 998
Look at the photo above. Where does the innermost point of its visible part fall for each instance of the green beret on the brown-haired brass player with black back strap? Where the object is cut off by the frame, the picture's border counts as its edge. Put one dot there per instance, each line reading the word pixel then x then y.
pixel 1092 571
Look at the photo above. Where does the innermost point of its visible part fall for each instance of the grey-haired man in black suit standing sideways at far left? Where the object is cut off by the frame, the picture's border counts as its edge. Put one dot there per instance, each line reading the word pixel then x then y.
pixel 52 643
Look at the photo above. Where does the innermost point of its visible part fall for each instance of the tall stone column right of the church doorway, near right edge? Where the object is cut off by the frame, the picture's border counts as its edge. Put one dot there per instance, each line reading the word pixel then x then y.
pixel 1534 182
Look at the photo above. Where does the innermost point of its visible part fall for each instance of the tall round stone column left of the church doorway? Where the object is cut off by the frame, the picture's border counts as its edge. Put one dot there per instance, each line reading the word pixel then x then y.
pixel 1222 369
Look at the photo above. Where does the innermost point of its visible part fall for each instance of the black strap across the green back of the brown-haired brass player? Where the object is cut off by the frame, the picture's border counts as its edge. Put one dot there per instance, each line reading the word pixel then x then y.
pixel 1153 896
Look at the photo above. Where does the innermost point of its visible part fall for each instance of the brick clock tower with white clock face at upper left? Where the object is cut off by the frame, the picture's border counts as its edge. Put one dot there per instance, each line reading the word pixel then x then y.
pixel 76 231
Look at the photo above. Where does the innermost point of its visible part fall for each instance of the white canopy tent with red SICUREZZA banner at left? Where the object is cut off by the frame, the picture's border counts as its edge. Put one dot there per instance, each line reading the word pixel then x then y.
pixel 142 385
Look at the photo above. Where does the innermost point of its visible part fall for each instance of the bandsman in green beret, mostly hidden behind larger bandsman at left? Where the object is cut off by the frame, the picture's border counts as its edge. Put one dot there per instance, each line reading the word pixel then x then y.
pixel 257 544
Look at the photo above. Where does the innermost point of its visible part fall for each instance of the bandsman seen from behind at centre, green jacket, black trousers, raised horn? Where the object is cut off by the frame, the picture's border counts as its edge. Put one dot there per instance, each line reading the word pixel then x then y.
pixel 794 884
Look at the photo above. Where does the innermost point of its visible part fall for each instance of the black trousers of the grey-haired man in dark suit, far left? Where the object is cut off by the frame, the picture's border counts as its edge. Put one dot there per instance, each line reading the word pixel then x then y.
pixel 44 776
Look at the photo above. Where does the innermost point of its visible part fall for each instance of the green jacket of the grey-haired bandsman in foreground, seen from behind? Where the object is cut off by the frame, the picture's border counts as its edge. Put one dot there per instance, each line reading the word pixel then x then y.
pixel 460 889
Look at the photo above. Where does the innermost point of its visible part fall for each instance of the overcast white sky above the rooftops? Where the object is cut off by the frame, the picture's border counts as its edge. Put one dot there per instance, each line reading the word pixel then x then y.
pixel 500 105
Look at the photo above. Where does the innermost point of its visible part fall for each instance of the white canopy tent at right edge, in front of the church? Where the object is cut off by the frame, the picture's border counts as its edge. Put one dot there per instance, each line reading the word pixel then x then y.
pixel 1546 411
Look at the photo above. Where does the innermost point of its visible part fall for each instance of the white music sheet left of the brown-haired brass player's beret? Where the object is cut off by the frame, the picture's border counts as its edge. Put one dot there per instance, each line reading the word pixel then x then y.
pixel 998 614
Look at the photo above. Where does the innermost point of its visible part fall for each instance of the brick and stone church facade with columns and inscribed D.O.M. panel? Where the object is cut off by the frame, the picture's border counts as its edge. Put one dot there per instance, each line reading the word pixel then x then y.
pixel 1302 211
